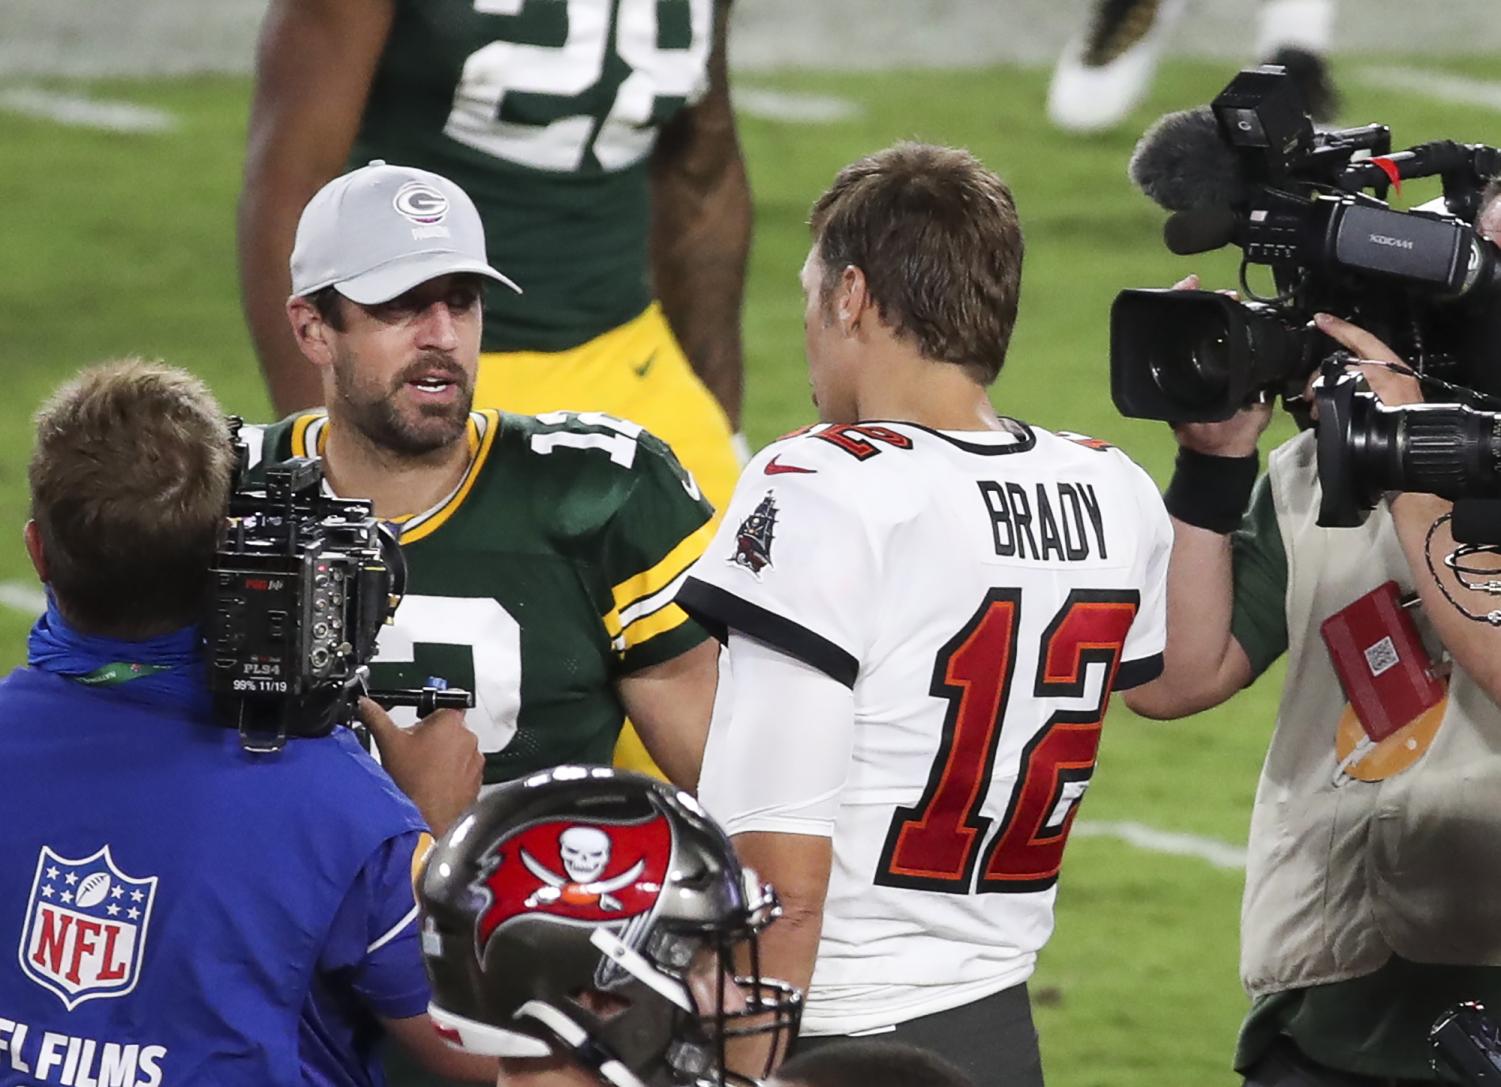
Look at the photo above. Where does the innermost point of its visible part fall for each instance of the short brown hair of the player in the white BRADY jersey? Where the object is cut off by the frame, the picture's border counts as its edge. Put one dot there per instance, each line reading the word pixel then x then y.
pixel 936 235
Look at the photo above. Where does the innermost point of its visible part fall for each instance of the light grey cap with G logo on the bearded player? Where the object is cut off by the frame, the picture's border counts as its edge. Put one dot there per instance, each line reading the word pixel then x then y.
pixel 381 230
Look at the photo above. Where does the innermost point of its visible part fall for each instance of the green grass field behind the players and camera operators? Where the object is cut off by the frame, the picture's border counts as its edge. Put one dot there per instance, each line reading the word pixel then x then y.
pixel 124 244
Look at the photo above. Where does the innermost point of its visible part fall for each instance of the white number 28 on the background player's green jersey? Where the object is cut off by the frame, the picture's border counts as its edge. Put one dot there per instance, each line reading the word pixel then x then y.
pixel 627 136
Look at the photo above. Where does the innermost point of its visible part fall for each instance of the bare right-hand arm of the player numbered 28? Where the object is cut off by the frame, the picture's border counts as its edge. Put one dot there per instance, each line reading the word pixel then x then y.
pixel 702 230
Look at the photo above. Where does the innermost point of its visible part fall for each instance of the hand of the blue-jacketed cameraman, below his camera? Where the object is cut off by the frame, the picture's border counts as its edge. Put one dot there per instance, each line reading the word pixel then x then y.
pixel 436 762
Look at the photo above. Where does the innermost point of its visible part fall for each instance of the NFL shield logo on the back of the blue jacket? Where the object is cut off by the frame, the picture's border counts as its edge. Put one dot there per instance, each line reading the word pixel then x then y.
pixel 86 927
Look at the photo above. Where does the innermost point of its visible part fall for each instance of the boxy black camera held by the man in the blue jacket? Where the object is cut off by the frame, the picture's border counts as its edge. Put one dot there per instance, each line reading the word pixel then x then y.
pixel 302 585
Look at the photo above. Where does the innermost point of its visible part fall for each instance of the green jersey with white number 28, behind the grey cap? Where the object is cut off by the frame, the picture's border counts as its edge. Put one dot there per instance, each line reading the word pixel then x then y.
pixel 546 112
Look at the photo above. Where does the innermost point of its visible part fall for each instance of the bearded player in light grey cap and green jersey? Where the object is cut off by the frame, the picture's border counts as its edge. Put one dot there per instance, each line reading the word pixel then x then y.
pixel 543 553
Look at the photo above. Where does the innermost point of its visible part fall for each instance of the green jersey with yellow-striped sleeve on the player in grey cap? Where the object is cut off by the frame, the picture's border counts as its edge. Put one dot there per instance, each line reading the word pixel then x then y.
pixel 541 580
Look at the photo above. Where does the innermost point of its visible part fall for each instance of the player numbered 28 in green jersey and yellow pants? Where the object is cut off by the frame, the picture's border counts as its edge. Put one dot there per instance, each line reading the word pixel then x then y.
pixel 598 142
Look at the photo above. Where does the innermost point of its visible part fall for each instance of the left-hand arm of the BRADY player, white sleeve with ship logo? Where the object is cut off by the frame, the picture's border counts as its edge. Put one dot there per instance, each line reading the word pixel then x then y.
pixel 790 585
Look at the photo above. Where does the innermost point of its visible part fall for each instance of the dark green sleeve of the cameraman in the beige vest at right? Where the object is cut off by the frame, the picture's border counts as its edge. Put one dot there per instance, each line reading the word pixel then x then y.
pixel 1260 564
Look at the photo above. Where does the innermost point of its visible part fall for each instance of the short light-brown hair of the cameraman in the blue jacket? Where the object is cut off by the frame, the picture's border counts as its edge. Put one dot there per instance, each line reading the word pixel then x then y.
pixel 130 489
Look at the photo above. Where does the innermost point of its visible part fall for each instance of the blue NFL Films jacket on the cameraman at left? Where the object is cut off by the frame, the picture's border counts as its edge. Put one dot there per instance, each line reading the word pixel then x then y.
pixel 164 896
